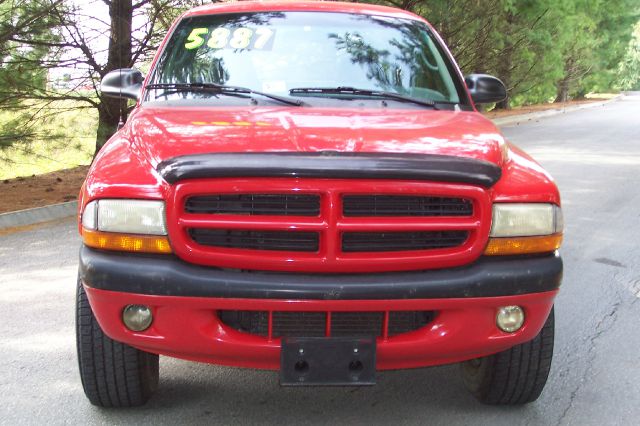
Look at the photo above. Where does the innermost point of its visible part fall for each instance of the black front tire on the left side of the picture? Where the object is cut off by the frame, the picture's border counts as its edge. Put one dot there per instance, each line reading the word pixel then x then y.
pixel 113 374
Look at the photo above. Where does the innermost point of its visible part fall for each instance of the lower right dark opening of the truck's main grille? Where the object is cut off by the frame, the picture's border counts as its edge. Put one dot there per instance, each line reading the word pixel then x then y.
pixel 401 241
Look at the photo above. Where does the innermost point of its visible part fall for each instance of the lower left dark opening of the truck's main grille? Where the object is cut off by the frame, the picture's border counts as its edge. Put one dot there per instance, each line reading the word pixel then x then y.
pixel 256 240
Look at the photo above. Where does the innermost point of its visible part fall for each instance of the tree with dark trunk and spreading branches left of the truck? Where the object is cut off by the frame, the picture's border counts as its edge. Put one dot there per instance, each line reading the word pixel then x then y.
pixel 88 45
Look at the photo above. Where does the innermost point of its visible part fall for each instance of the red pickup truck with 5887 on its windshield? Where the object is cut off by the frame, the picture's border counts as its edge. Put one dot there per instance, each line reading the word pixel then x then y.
pixel 309 188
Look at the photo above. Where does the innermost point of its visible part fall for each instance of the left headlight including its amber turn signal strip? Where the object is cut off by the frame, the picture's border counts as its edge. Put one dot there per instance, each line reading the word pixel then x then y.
pixel 126 225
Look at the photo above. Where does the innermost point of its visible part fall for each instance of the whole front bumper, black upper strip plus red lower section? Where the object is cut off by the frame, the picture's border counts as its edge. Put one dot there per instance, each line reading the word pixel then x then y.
pixel 184 300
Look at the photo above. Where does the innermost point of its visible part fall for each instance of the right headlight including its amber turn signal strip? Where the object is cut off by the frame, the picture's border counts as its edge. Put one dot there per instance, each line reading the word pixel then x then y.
pixel 525 228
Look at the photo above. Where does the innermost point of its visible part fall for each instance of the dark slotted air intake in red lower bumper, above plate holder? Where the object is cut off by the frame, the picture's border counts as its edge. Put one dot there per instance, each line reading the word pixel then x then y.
pixel 313 324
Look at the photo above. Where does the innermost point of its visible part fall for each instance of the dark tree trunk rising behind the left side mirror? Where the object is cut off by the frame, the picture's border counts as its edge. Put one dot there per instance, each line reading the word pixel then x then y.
pixel 119 56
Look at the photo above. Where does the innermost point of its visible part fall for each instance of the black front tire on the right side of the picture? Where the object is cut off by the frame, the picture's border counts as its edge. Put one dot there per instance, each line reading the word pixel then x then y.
pixel 515 376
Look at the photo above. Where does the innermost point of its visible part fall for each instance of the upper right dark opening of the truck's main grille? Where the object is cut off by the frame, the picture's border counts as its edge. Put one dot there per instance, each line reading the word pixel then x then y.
pixel 400 205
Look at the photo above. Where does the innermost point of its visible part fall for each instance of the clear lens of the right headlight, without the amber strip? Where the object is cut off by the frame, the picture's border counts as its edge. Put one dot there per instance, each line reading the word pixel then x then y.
pixel 522 220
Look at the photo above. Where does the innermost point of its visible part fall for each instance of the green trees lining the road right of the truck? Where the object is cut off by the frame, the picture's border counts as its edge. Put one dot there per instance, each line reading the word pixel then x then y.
pixel 541 49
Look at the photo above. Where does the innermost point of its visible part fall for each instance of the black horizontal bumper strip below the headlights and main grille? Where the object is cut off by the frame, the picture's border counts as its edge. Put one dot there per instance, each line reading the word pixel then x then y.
pixel 169 276
